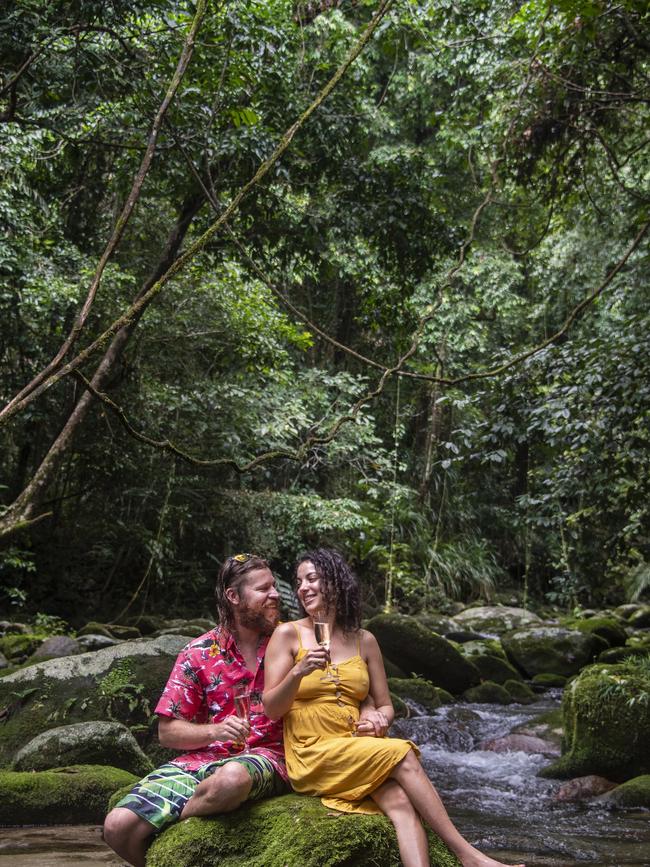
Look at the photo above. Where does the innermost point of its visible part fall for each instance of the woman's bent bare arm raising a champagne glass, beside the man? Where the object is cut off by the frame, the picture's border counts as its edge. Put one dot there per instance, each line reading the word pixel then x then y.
pixel 282 674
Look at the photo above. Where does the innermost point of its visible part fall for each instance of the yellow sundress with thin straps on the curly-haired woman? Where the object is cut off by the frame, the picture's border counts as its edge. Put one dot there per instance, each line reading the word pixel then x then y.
pixel 323 755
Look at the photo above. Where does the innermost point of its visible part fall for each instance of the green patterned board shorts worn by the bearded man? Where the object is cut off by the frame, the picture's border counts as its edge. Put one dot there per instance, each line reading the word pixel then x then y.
pixel 160 797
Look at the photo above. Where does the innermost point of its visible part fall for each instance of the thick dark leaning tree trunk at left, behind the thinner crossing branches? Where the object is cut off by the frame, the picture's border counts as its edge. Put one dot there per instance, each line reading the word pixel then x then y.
pixel 23 511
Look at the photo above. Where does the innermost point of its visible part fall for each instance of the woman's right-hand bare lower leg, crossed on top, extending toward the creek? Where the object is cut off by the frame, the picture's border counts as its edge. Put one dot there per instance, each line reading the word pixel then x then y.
pixel 426 801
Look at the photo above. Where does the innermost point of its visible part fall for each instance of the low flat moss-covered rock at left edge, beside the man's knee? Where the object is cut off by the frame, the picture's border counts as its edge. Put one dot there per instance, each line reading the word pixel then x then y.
pixel 78 794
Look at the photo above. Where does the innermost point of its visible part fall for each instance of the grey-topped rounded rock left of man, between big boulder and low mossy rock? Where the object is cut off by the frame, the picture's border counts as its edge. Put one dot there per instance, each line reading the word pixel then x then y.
pixel 88 743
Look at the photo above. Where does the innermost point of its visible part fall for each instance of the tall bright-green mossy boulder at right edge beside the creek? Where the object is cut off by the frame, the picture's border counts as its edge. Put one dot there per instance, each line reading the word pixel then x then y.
pixel 606 713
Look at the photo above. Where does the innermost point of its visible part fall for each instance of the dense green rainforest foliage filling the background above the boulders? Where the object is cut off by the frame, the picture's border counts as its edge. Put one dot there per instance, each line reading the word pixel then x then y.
pixel 421 336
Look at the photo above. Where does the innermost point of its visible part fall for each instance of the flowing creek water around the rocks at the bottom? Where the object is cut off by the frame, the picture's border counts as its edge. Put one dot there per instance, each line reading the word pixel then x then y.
pixel 496 799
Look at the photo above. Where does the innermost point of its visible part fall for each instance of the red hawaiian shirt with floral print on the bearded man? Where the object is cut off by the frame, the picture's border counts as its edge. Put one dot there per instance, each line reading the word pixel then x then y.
pixel 200 690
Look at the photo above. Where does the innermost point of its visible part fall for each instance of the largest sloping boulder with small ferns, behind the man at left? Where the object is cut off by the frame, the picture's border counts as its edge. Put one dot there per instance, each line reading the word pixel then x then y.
pixel 123 683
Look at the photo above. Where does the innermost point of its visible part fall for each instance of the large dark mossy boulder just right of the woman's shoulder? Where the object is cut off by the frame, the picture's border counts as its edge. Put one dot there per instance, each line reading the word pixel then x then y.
pixel 422 652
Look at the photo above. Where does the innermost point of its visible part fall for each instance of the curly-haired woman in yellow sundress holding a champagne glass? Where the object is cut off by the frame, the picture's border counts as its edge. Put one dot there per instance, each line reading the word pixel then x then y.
pixel 329 752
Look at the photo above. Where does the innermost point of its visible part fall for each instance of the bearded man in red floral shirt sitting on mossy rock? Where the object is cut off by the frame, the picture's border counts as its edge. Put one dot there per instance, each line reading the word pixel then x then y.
pixel 196 714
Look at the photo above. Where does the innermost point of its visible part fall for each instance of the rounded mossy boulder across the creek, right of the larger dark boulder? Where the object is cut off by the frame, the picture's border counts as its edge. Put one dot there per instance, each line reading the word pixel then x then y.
pixel 551 649
